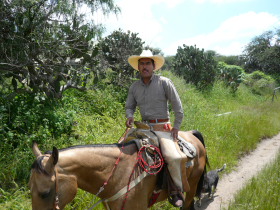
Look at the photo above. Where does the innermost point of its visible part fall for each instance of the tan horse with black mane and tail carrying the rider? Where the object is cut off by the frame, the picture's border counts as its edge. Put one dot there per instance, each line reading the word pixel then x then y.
pixel 103 170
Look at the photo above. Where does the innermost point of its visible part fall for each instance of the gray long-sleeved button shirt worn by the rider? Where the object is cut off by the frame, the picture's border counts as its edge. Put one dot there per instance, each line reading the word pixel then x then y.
pixel 153 98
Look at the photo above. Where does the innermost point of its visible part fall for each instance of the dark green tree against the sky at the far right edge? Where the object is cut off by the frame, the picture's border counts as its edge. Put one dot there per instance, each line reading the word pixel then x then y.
pixel 263 53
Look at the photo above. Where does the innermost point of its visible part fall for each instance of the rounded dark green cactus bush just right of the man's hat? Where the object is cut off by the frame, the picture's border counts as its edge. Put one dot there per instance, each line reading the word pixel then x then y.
pixel 195 66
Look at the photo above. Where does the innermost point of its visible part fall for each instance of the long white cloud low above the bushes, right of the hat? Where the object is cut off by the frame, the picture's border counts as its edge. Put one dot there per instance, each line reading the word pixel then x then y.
pixel 232 35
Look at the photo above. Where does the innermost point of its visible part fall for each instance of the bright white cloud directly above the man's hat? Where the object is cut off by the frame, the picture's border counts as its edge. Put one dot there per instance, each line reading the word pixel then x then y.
pixel 138 17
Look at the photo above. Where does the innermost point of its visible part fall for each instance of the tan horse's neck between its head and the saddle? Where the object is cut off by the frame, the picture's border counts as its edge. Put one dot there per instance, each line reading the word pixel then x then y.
pixel 93 165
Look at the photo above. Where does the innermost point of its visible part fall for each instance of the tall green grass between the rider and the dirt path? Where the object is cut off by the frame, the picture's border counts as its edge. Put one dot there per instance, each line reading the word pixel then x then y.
pixel 229 136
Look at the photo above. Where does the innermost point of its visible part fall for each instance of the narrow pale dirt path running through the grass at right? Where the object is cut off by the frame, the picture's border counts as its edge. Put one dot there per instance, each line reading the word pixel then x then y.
pixel 248 167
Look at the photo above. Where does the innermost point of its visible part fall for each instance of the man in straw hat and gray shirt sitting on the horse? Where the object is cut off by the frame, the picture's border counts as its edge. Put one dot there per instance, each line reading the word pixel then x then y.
pixel 151 94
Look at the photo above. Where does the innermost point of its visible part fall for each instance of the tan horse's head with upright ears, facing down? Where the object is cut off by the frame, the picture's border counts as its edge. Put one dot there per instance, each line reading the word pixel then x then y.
pixel 42 181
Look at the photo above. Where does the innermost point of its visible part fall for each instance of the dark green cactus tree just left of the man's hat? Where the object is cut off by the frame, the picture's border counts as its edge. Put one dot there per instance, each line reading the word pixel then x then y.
pixel 114 52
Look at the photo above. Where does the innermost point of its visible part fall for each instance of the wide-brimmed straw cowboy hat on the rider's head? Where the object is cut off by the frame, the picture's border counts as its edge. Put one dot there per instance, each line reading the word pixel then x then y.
pixel 133 60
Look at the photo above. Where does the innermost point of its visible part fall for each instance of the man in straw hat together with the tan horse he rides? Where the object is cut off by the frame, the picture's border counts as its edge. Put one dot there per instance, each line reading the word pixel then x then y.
pixel 102 169
